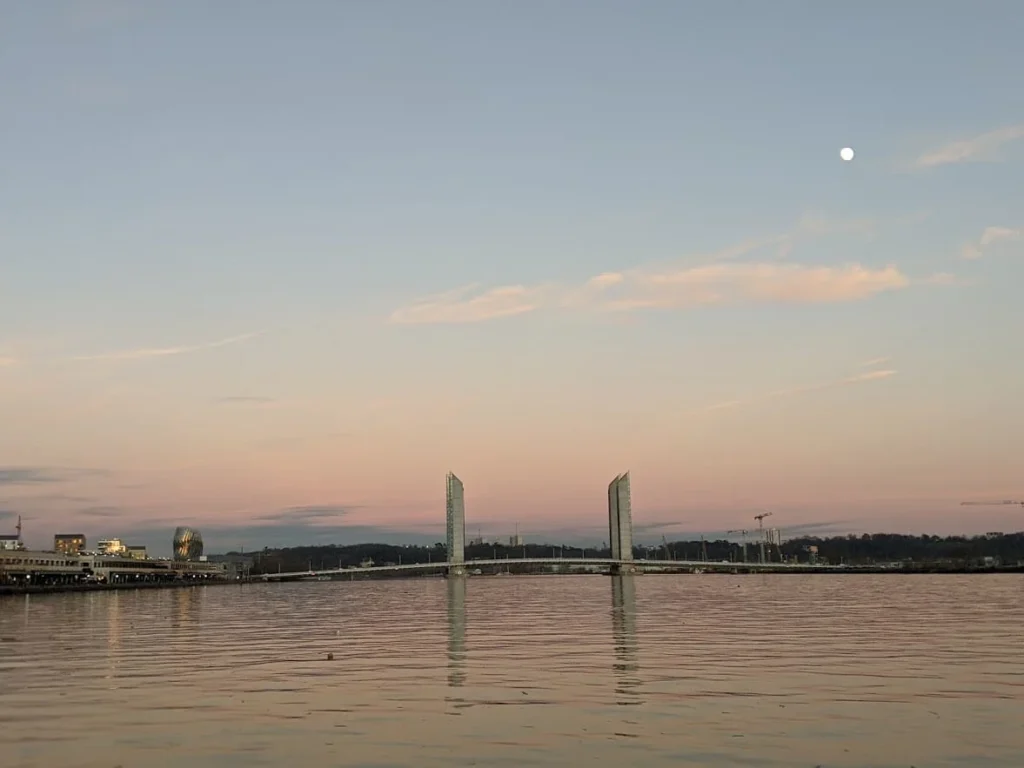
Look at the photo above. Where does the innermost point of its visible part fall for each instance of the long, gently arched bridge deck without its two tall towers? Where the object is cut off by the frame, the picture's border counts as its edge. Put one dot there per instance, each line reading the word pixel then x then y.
pixel 471 565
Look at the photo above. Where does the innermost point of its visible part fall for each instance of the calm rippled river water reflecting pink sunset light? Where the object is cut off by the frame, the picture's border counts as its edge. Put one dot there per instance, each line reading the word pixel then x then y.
pixel 521 671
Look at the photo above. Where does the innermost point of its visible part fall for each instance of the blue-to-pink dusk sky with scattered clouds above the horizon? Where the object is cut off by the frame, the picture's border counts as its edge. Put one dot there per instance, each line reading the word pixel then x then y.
pixel 272 270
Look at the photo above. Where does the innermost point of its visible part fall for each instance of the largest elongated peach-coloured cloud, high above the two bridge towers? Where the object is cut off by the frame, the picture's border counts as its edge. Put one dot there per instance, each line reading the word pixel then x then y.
pixel 712 285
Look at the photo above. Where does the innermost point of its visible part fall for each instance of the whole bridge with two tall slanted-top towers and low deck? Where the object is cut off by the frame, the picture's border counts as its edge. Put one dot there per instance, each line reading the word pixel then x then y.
pixel 620 537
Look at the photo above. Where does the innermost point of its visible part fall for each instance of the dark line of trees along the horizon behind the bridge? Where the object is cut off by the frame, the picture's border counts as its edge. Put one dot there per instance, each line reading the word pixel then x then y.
pixel 865 549
